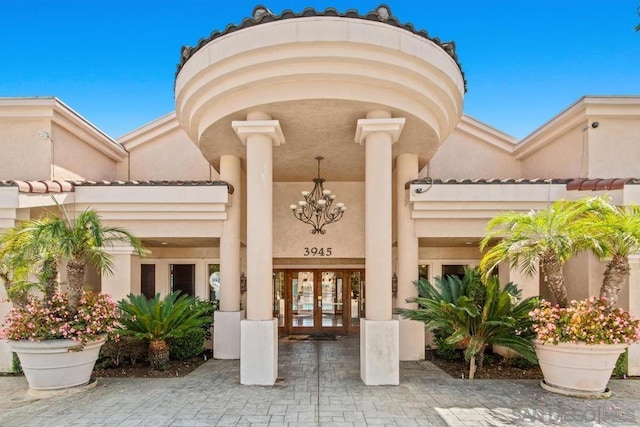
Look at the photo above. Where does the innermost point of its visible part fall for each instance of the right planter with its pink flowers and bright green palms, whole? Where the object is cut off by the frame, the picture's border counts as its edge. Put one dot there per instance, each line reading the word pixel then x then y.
pixel 573 337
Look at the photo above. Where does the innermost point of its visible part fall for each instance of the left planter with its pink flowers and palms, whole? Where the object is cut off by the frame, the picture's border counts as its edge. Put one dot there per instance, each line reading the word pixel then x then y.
pixel 57 335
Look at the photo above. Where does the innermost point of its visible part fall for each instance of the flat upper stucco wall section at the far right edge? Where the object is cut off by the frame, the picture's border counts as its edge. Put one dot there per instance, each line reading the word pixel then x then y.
pixel 614 148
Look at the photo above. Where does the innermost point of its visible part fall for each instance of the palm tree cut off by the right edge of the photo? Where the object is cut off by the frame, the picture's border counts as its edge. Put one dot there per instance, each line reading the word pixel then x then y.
pixel 617 229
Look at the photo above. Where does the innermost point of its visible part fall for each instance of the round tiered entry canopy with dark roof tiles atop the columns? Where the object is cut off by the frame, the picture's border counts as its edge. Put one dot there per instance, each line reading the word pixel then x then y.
pixel 317 73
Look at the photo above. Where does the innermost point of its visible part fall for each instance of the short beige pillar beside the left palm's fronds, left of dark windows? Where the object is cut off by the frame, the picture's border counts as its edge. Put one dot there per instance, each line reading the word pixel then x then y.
pixel 126 276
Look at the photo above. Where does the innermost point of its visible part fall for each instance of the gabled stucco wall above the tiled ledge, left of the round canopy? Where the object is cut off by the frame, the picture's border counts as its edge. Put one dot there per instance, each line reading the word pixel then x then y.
pixel 171 156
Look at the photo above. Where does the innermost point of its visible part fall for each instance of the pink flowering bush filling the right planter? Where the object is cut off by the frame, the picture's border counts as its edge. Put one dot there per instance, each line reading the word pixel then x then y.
pixel 591 321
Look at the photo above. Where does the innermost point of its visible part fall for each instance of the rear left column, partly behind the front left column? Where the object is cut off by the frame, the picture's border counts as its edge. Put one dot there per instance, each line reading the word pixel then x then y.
pixel 226 336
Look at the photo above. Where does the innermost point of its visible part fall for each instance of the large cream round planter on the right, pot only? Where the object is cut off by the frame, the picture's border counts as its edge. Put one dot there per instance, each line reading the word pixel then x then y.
pixel 578 369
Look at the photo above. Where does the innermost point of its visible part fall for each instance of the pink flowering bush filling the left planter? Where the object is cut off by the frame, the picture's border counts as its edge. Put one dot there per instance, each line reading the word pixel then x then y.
pixel 52 319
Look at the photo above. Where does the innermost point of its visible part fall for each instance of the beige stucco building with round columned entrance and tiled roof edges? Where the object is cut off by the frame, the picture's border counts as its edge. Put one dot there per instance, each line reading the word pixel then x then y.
pixel 209 188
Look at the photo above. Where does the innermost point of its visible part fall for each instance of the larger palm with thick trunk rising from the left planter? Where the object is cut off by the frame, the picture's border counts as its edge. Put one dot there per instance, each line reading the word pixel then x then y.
pixel 78 240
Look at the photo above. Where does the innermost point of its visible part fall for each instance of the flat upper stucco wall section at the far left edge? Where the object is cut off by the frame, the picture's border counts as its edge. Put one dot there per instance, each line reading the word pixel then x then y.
pixel 24 155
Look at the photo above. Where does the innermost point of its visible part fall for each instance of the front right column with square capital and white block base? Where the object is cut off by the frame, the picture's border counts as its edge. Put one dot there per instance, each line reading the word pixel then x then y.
pixel 379 333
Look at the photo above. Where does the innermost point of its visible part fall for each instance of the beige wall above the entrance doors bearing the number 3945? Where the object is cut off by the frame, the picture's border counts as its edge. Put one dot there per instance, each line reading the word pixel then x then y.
pixel 345 237
